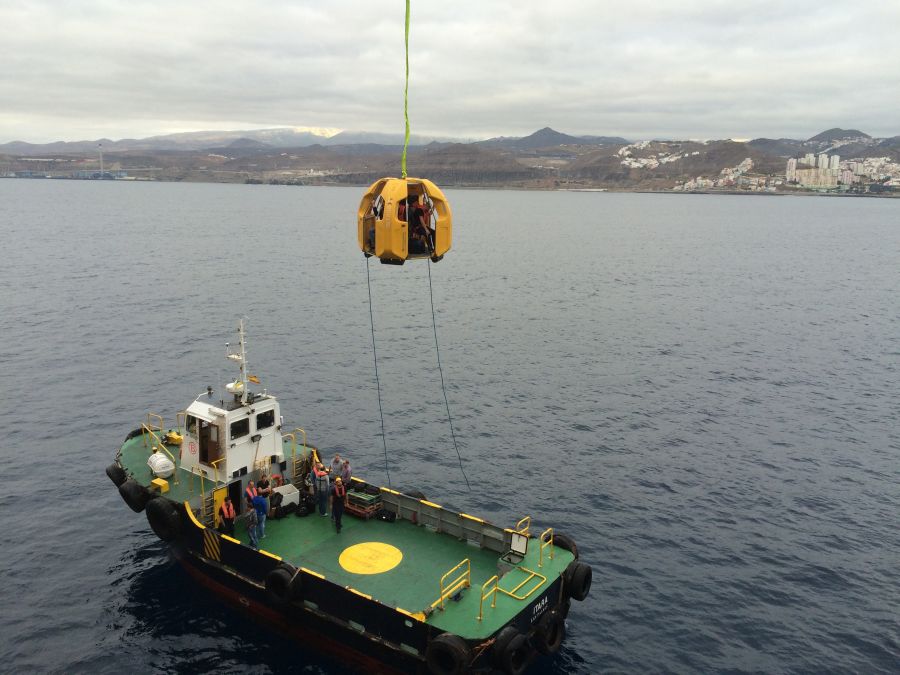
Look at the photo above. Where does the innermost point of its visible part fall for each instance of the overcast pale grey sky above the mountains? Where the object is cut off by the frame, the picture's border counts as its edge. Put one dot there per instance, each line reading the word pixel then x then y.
pixel 85 69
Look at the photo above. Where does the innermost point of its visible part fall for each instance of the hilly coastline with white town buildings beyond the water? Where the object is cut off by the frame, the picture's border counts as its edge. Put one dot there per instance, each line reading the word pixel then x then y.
pixel 837 161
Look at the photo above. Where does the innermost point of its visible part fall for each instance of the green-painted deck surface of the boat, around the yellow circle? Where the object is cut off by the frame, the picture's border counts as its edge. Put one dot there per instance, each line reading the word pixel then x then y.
pixel 413 585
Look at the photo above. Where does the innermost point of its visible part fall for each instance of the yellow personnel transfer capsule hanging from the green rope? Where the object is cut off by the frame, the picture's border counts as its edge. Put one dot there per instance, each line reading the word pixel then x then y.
pixel 402 219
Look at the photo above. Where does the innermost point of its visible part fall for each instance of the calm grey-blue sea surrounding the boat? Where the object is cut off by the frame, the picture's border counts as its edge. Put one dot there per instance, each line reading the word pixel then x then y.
pixel 701 390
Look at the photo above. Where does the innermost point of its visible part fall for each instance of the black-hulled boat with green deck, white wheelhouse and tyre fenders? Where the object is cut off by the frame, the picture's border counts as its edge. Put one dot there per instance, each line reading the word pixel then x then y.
pixel 406 586
